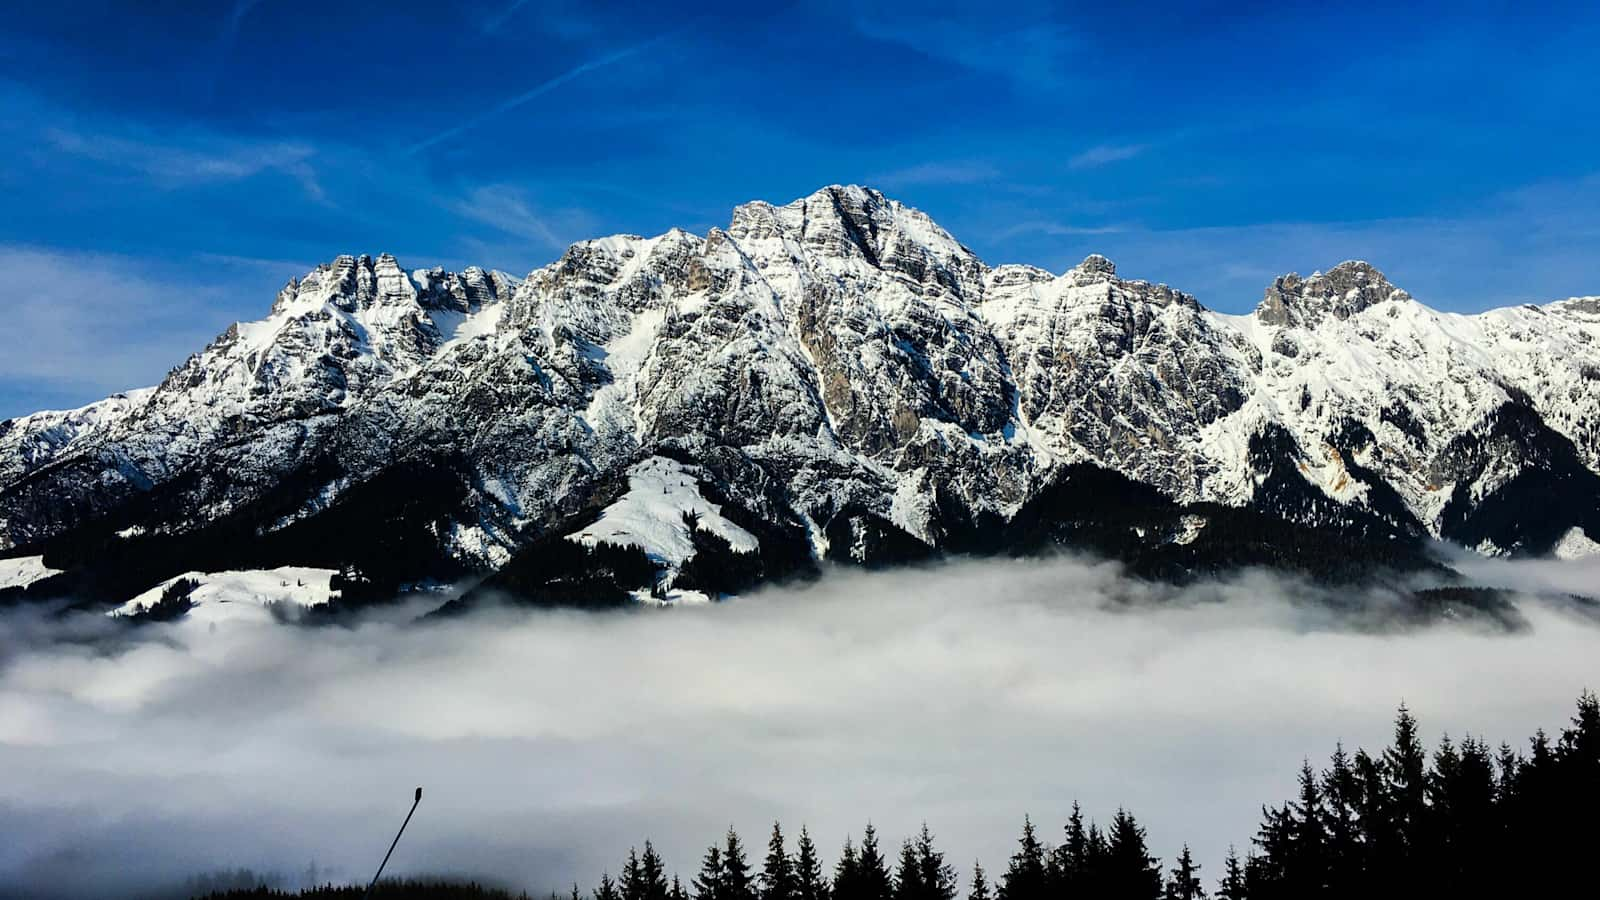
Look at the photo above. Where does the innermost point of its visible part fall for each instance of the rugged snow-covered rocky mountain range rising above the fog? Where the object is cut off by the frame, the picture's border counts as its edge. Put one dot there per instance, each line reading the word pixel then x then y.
pixel 836 379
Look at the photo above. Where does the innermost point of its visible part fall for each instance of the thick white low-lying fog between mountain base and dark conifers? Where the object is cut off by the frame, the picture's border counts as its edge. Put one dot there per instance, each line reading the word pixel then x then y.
pixel 550 742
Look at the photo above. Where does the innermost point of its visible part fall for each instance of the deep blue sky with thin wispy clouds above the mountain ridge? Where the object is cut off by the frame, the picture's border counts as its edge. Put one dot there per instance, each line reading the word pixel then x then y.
pixel 167 166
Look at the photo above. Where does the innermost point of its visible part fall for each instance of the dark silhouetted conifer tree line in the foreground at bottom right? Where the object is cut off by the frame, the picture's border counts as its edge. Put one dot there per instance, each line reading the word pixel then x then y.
pixel 1463 821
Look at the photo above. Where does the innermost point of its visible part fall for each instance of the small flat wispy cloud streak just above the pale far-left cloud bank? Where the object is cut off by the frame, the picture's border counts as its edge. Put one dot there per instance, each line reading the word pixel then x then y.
pixel 206 161
